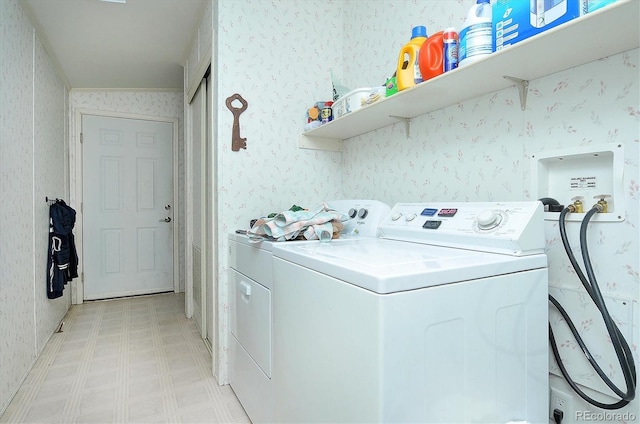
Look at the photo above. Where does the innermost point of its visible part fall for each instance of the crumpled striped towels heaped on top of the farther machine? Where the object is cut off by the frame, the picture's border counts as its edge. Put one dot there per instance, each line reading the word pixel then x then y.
pixel 289 225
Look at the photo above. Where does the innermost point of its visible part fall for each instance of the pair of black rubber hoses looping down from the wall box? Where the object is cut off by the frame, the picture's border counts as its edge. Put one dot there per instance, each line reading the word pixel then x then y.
pixel 620 345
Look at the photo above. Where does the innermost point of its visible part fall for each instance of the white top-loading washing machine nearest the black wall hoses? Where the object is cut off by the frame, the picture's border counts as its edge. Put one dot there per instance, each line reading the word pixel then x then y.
pixel 443 319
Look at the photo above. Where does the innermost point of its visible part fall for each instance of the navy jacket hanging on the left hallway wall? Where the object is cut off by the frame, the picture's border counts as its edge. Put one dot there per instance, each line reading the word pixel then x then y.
pixel 62 264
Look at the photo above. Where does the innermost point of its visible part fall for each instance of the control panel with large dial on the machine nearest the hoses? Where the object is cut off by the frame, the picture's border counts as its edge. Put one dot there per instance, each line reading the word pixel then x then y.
pixel 514 228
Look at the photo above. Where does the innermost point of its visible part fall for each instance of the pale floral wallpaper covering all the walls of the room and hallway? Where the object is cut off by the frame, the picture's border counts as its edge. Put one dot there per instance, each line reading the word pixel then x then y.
pixel 278 56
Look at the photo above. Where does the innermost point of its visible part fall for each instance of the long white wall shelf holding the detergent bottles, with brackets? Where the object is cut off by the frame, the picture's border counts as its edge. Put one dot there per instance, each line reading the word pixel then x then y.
pixel 608 31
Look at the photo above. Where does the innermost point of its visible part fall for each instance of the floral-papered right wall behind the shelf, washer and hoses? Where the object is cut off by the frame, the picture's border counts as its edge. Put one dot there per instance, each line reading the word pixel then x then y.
pixel 481 149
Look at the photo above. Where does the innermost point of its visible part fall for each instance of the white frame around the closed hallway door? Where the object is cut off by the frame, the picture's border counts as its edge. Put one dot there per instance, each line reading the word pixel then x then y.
pixel 77 286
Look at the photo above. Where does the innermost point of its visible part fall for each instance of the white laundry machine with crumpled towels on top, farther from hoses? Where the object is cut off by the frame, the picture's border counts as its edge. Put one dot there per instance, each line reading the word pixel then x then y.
pixel 251 287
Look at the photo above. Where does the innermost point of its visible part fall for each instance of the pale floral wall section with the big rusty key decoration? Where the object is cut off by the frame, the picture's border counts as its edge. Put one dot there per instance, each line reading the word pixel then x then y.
pixel 277 55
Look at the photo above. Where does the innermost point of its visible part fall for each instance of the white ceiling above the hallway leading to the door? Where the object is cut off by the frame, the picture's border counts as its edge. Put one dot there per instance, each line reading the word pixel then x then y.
pixel 140 44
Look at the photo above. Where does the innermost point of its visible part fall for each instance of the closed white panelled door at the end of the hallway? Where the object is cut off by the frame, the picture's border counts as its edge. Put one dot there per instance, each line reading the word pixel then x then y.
pixel 127 206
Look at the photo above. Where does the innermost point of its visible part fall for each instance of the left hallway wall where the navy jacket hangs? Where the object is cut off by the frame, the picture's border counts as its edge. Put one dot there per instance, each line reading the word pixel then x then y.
pixel 33 165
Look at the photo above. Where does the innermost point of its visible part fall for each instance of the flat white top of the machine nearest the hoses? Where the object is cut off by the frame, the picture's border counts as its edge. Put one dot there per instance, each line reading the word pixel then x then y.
pixel 389 266
